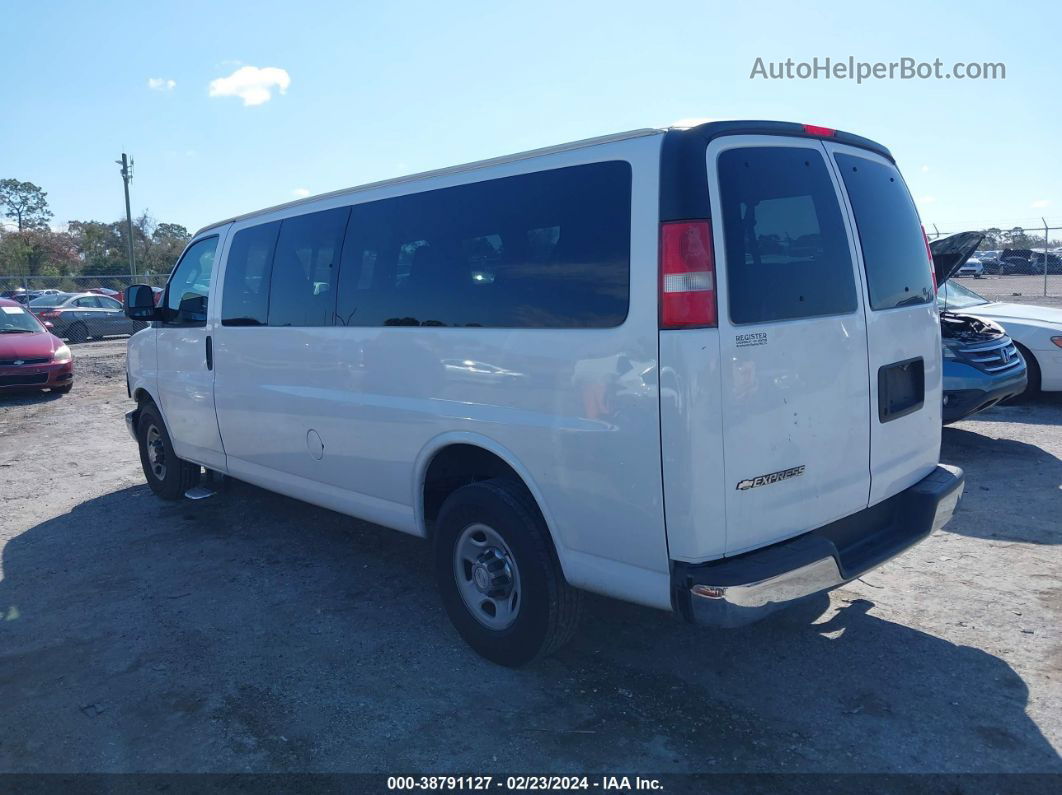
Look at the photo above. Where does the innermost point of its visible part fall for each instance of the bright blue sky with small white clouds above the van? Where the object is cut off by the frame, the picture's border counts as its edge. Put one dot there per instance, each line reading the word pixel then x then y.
pixel 387 89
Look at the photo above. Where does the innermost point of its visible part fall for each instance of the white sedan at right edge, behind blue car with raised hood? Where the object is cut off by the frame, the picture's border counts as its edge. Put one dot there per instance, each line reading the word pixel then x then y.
pixel 1036 331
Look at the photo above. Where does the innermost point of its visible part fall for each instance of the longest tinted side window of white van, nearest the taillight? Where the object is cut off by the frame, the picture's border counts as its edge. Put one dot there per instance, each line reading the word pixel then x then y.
pixel 547 250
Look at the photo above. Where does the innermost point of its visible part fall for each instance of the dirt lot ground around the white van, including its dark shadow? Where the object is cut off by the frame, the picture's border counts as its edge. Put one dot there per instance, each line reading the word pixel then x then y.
pixel 253 633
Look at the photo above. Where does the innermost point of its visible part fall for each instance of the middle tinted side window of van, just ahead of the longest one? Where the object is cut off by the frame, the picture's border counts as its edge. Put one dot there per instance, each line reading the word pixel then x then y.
pixel 305 268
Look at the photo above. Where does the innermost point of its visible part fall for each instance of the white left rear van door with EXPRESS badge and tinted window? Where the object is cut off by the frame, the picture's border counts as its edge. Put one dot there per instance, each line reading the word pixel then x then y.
pixel 793 339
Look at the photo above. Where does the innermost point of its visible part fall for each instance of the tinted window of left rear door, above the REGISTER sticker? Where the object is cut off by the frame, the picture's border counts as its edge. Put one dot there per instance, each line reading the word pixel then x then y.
pixel 787 250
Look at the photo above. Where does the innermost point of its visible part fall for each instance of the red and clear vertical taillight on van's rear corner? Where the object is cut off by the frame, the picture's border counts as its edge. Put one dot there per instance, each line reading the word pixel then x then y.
pixel 688 275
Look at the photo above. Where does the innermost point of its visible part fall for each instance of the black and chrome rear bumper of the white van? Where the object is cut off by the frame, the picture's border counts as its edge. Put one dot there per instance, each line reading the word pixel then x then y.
pixel 740 591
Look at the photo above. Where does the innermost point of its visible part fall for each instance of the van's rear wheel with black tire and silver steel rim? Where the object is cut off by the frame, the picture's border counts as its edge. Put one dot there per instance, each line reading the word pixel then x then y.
pixel 501 519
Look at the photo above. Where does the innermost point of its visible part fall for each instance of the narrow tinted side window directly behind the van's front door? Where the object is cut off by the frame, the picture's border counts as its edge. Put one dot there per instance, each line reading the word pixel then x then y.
pixel 245 301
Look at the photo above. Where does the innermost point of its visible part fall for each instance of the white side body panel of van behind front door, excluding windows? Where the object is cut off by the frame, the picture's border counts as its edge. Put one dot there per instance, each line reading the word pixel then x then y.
pixel 349 418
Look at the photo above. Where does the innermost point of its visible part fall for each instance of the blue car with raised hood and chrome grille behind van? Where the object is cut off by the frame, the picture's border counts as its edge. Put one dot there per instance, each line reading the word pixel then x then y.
pixel 983 367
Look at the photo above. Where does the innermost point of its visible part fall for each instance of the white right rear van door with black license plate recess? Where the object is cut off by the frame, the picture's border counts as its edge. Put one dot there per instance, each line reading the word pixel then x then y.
pixel 903 326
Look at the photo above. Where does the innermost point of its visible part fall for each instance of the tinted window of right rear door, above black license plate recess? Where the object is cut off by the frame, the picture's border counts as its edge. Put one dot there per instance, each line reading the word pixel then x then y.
pixel 890 234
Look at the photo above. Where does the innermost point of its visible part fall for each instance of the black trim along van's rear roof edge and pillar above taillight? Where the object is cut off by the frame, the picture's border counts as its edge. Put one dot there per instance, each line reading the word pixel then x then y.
pixel 684 170
